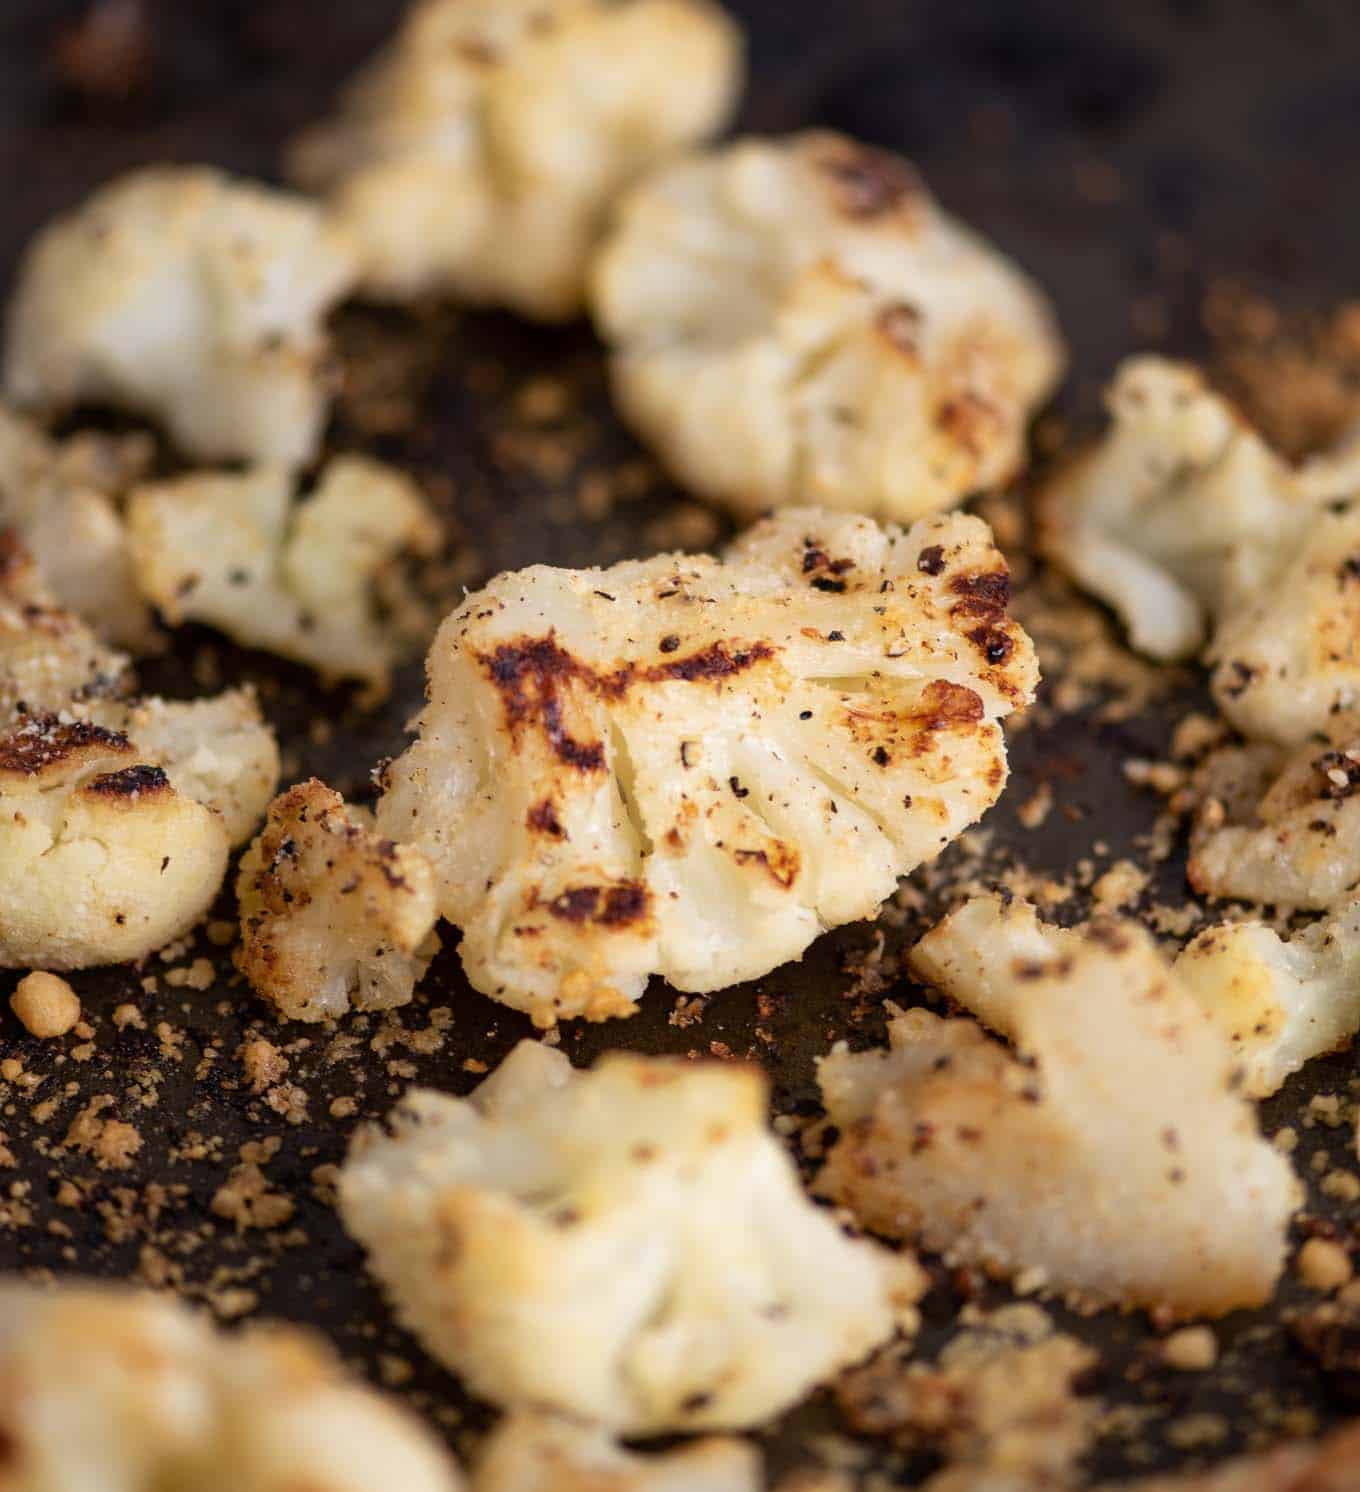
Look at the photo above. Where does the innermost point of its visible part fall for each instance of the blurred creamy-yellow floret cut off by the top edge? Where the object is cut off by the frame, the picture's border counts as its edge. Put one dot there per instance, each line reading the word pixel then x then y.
pixel 481 151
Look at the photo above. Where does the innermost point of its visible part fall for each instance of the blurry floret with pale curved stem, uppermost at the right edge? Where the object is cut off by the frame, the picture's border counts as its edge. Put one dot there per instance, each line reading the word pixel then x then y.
pixel 1182 507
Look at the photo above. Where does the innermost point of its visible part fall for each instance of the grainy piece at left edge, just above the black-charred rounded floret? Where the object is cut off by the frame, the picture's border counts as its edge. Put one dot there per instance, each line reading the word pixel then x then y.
pixel 50 660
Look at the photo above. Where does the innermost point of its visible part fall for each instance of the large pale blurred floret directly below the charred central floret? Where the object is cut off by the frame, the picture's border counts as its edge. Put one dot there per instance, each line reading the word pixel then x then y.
pixel 629 1245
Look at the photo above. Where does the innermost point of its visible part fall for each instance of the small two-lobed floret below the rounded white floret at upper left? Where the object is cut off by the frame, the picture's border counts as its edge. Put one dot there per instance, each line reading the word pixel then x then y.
pixel 320 581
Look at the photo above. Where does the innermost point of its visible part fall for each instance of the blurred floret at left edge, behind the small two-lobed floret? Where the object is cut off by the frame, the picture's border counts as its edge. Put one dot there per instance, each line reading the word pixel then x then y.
pixel 65 502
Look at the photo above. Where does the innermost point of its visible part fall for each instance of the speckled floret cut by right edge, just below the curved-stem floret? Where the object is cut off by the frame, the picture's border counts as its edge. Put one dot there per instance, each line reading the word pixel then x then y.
pixel 1288 656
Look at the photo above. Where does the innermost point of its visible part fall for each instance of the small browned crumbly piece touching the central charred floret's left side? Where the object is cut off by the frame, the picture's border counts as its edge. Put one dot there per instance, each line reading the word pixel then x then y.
pixel 333 915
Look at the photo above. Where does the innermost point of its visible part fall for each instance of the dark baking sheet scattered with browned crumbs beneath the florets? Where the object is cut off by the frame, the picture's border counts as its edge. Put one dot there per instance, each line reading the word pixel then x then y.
pixel 1128 159
